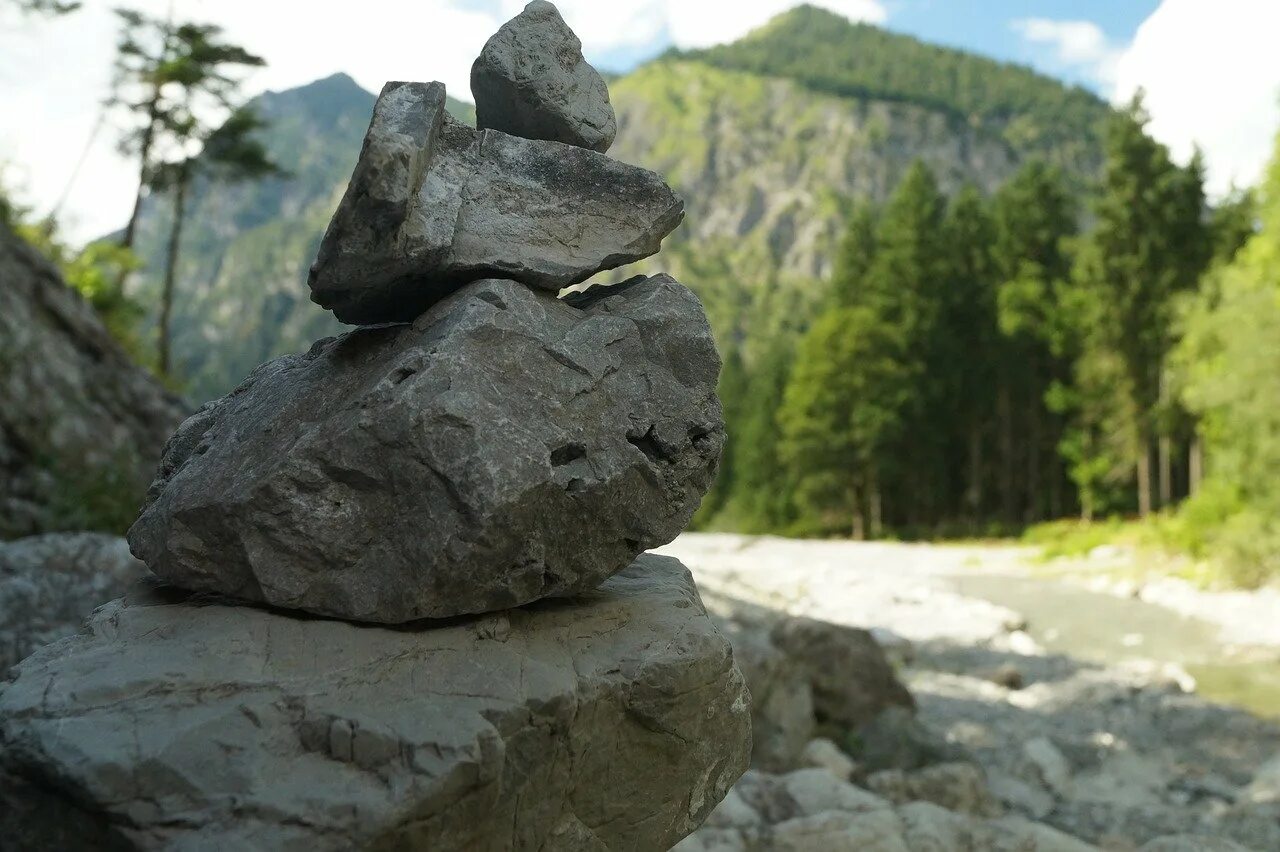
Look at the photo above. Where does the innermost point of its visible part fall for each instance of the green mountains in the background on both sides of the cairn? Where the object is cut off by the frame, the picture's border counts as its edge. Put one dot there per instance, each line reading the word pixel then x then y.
pixel 770 140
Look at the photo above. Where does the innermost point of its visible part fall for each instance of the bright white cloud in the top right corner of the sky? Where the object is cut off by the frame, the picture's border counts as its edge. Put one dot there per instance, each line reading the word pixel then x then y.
pixel 1212 74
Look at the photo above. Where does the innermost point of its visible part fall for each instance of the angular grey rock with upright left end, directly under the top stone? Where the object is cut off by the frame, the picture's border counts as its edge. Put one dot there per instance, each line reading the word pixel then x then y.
pixel 435 204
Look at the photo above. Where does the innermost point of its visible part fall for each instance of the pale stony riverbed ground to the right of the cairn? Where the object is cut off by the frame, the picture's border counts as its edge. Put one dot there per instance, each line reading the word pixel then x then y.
pixel 1026 749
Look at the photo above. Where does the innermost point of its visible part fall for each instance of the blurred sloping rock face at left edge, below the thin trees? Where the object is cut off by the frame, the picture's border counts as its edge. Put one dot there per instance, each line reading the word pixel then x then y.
pixel 81 428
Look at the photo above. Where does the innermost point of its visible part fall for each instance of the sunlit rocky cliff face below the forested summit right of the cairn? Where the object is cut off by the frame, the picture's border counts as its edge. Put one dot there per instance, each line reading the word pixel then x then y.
pixel 770 172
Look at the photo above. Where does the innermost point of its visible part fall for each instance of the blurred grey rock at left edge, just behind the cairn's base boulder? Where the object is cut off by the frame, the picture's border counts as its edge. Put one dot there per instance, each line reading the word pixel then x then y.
pixel 53 583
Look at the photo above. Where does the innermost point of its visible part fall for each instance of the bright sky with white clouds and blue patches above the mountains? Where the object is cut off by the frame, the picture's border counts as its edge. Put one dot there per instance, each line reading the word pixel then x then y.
pixel 1209 67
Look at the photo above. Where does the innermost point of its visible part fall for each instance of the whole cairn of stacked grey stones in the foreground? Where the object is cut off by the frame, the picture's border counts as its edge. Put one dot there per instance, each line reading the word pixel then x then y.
pixel 479 452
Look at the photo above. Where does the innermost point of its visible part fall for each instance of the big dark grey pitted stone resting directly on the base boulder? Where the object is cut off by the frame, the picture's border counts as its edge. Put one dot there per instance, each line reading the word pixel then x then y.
pixel 506 447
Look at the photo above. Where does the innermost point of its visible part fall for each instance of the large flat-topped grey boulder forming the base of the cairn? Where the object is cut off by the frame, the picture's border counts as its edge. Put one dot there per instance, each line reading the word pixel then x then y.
pixel 185 723
